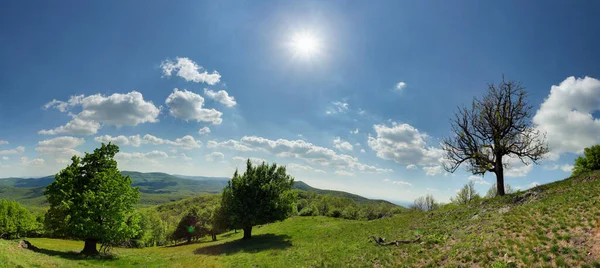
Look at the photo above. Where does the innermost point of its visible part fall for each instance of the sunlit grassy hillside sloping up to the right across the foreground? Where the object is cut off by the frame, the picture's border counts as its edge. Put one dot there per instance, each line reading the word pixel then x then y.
pixel 554 225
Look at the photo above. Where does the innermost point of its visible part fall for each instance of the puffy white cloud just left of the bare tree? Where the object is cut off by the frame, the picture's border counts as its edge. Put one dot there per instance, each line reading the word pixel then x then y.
pixel 404 144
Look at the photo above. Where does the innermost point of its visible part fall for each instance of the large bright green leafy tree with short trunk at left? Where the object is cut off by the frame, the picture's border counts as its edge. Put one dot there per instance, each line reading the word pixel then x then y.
pixel 92 201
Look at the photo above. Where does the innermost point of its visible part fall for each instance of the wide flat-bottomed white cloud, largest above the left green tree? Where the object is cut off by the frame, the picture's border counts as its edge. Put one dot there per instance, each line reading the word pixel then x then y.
pixel 128 109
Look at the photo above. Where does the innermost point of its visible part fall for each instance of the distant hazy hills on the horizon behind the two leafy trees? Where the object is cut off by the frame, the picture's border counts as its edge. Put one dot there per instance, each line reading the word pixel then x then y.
pixel 155 188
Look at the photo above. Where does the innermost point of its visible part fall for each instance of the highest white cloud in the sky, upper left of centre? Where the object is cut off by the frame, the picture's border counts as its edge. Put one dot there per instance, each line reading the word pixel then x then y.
pixel 190 71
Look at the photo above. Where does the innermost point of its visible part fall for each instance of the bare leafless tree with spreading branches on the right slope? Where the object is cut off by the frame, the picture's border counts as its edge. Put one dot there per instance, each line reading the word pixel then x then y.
pixel 495 126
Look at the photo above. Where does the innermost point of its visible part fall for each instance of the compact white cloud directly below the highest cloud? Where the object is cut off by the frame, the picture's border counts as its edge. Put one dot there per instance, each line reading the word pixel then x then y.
pixel 187 105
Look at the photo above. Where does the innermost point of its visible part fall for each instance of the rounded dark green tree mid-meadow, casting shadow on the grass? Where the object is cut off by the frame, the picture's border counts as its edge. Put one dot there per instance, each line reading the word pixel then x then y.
pixel 261 195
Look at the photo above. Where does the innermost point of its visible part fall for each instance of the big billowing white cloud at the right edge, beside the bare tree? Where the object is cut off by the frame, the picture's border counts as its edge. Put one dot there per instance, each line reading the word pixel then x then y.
pixel 567 111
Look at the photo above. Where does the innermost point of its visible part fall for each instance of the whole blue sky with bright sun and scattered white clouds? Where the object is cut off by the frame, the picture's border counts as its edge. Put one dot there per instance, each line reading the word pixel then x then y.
pixel 349 95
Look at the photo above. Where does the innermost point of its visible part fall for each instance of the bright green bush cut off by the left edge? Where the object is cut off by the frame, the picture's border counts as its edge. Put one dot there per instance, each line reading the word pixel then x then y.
pixel 15 220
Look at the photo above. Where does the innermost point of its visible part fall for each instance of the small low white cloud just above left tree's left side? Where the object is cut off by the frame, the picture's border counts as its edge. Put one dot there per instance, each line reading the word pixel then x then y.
pixel 60 148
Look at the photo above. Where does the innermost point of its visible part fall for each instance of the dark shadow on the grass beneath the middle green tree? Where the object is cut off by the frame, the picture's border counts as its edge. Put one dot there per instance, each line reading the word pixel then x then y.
pixel 255 244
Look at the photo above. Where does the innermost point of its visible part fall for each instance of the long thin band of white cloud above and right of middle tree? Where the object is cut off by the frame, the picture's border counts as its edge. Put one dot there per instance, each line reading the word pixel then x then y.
pixel 298 149
